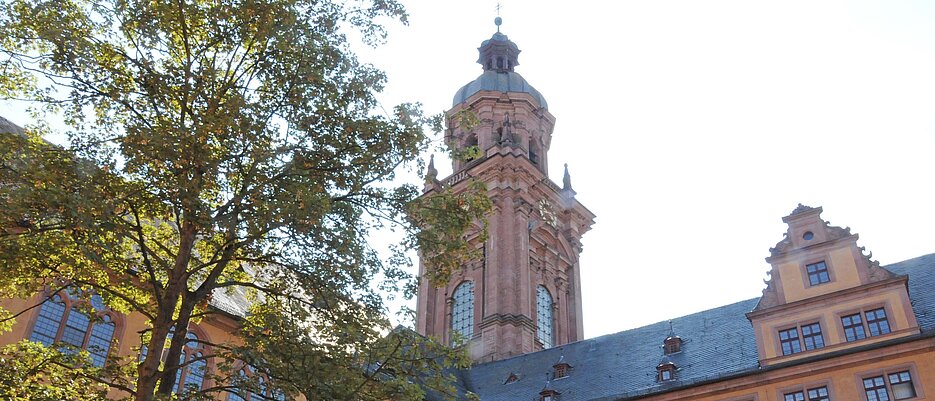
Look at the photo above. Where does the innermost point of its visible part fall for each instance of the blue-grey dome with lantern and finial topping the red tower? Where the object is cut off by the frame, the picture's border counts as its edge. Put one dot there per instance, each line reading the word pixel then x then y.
pixel 499 56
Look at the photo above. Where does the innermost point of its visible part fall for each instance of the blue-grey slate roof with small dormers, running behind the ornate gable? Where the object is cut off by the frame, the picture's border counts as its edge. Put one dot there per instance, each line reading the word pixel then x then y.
pixel 717 343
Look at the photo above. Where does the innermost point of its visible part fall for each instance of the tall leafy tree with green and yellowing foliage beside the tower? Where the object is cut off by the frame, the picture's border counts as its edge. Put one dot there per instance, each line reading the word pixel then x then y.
pixel 216 145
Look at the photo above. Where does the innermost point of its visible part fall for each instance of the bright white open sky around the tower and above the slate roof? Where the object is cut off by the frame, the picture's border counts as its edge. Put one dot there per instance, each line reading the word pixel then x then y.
pixel 691 128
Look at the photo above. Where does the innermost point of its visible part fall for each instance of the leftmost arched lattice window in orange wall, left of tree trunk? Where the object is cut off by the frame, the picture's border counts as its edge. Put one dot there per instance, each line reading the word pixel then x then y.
pixel 62 321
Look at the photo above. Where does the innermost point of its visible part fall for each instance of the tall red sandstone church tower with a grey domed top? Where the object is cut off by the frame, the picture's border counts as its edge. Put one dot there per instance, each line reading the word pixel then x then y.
pixel 524 293
